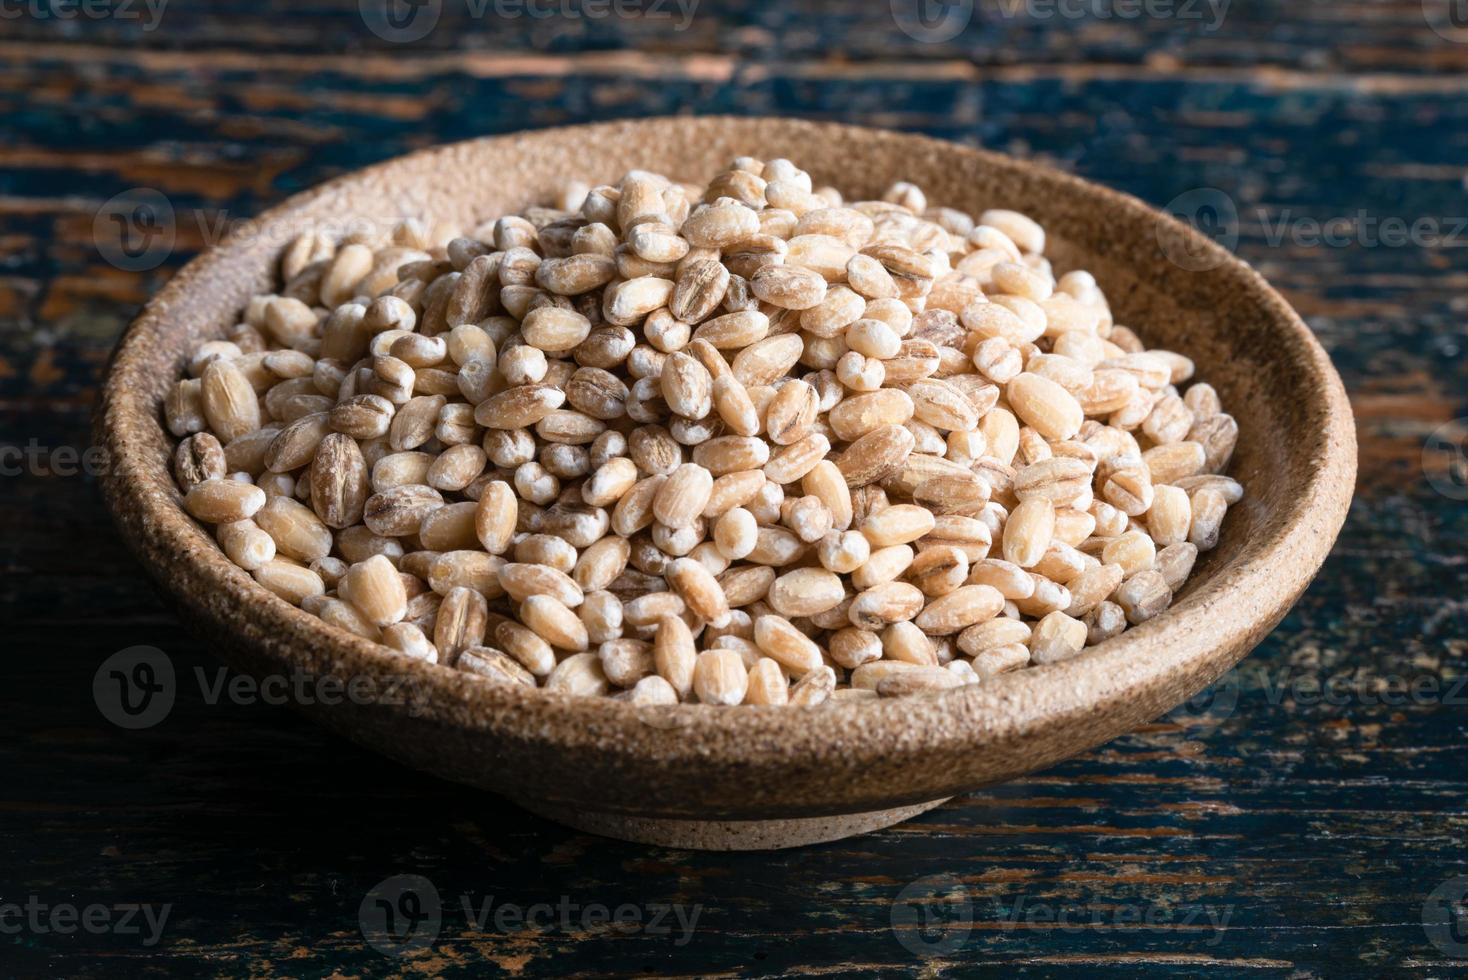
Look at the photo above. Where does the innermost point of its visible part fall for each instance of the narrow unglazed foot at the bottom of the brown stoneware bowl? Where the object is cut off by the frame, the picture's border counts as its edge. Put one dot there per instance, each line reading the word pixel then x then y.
pixel 727 835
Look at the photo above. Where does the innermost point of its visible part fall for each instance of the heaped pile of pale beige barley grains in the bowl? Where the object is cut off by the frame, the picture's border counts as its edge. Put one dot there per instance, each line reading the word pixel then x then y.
pixel 745 444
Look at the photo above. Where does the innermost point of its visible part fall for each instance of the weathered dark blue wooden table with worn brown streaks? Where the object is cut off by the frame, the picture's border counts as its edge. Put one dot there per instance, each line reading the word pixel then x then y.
pixel 1273 833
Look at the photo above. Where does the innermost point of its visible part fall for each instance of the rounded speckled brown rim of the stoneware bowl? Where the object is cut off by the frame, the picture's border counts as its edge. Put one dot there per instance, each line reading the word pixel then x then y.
pixel 1012 708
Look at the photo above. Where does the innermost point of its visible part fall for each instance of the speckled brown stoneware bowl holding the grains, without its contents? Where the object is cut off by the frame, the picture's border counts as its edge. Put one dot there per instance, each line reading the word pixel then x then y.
pixel 758 777
